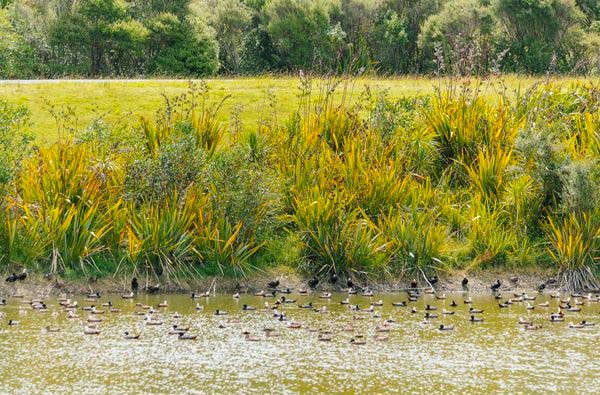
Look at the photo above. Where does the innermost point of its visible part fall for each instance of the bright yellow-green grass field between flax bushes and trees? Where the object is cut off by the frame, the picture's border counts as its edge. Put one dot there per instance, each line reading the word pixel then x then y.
pixel 253 99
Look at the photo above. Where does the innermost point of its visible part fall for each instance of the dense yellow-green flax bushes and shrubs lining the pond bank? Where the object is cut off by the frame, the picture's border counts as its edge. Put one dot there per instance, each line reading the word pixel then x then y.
pixel 377 188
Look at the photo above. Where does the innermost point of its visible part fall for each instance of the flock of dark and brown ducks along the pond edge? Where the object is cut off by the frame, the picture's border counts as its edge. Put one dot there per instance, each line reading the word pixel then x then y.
pixel 278 303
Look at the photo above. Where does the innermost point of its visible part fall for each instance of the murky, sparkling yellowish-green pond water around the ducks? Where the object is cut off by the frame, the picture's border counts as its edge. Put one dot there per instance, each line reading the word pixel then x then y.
pixel 494 356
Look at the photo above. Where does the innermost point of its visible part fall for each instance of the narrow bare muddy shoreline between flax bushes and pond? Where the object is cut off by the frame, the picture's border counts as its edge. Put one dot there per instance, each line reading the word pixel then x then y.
pixel 478 282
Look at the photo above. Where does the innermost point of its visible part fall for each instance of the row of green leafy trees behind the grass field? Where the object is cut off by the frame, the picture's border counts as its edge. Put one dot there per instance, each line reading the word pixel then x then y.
pixel 197 38
